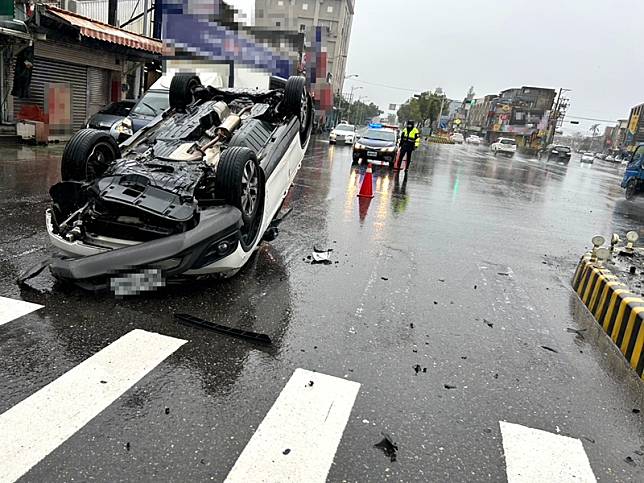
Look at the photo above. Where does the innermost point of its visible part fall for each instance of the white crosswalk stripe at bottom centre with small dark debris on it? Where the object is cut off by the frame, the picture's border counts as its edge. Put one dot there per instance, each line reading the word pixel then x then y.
pixel 299 436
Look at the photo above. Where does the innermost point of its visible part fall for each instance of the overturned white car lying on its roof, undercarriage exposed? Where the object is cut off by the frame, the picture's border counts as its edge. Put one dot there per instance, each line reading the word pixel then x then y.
pixel 193 193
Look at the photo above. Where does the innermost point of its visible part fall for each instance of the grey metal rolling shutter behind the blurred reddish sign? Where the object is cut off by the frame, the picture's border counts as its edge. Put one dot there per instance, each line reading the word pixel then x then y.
pixel 45 71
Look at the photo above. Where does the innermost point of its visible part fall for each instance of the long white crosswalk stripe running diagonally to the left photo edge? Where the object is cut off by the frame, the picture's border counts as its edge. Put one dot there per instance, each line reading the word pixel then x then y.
pixel 35 427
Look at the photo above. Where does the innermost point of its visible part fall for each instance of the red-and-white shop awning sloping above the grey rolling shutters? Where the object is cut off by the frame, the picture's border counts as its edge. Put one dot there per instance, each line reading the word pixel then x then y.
pixel 107 33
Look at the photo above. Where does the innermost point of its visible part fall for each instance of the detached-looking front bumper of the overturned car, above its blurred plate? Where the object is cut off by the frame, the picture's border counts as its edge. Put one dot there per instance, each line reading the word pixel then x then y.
pixel 211 247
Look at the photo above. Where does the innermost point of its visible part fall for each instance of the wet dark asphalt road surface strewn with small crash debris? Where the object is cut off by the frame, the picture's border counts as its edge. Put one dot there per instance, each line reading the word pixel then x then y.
pixel 462 266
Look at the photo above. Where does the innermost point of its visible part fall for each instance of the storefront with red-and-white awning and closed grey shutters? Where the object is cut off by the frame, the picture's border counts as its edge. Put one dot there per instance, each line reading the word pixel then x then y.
pixel 77 67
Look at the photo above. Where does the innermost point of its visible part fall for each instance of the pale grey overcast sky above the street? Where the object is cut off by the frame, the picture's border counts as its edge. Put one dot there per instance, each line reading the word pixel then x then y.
pixel 590 46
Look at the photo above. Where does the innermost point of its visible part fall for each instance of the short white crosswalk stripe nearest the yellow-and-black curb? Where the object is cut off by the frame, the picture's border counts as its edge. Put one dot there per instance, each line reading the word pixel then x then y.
pixel 534 455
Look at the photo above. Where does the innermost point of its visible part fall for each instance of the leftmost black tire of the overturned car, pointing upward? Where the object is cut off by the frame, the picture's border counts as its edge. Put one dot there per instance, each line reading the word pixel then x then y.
pixel 87 155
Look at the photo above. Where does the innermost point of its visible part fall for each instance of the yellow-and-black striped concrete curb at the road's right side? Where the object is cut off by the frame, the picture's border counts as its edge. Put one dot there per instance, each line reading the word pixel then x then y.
pixel 616 309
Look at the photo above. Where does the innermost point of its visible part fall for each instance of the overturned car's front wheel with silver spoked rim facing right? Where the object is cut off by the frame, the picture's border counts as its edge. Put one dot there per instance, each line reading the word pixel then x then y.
pixel 241 183
